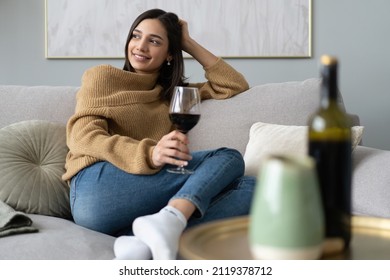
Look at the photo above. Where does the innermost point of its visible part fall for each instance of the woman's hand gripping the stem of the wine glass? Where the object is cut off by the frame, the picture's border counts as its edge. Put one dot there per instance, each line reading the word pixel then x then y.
pixel 172 149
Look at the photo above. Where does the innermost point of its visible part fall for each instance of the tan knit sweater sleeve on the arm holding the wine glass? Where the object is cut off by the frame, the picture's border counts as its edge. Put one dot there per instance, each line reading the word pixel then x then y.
pixel 88 139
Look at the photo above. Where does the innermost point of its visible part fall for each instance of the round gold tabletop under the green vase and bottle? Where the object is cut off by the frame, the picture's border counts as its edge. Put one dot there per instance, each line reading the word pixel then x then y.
pixel 228 240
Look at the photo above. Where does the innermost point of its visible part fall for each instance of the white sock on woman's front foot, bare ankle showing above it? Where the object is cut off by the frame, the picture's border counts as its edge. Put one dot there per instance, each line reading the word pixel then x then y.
pixel 161 232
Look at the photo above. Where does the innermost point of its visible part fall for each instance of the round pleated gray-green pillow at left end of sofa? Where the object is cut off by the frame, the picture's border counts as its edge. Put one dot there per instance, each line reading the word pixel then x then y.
pixel 32 161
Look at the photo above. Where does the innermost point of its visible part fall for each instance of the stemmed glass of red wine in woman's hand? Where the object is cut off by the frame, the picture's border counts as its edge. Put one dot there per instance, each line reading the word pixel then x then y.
pixel 184 113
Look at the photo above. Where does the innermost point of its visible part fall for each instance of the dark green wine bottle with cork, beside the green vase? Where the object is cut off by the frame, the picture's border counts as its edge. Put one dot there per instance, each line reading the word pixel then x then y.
pixel 329 140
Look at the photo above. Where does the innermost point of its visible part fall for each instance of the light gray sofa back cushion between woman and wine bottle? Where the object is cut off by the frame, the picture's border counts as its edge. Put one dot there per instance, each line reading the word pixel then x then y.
pixel 227 122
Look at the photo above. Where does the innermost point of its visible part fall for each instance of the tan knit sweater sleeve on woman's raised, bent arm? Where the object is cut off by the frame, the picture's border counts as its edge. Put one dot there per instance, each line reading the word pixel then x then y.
pixel 223 81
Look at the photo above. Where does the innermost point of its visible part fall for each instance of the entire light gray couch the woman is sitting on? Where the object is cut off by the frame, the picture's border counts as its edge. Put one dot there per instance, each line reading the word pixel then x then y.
pixel 223 123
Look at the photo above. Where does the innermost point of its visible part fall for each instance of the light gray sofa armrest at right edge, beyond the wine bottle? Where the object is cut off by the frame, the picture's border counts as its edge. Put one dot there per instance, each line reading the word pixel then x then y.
pixel 371 182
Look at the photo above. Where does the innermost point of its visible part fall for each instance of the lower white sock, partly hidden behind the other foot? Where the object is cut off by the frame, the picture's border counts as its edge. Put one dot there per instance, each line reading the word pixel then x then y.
pixel 131 248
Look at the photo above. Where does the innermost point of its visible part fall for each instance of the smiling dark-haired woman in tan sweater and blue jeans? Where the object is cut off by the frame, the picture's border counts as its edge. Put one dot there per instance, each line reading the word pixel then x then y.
pixel 121 142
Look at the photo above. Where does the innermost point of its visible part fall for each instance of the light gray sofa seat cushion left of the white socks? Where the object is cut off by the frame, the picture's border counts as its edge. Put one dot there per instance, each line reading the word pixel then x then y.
pixel 57 239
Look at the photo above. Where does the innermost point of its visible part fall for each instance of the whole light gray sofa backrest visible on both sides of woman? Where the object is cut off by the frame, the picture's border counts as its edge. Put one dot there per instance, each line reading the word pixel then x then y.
pixel 222 123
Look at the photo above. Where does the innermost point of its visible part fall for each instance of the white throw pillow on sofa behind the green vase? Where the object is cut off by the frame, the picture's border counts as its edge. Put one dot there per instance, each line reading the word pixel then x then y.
pixel 267 139
